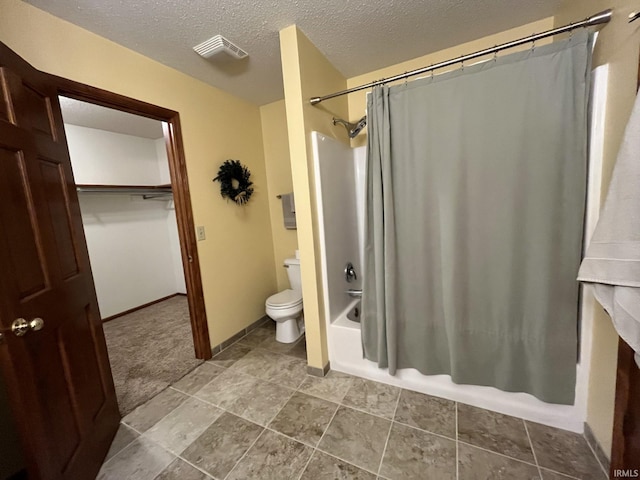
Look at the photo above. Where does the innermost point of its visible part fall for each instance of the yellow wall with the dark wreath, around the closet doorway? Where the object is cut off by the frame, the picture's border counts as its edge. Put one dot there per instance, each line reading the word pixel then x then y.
pixel 237 256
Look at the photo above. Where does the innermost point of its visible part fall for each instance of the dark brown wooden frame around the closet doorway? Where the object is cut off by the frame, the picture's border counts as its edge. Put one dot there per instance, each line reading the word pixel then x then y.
pixel 179 185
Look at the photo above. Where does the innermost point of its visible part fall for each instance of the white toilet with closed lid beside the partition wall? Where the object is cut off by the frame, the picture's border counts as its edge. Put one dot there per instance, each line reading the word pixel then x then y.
pixel 286 307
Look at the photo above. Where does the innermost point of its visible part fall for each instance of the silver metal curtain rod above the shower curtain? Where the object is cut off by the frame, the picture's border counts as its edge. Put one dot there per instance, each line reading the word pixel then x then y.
pixel 597 19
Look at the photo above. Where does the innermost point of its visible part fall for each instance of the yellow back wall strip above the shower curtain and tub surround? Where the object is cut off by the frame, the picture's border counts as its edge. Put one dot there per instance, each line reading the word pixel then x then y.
pixel 358 102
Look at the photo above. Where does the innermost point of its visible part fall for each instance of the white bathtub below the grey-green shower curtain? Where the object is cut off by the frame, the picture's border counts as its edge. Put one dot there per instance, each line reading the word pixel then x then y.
pixel 345 355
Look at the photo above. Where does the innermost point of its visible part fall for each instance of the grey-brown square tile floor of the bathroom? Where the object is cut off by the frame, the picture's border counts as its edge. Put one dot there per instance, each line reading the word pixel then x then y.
pixel 253 412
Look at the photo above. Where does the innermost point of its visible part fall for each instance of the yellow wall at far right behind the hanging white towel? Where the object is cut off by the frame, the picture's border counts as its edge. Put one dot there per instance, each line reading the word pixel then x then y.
pixel 617 46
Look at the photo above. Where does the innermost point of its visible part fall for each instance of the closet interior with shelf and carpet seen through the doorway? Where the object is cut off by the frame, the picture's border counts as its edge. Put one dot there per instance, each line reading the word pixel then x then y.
pixel 121 171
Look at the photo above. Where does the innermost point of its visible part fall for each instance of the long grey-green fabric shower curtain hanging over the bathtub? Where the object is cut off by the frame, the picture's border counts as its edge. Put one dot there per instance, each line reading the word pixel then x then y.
pixel 475 203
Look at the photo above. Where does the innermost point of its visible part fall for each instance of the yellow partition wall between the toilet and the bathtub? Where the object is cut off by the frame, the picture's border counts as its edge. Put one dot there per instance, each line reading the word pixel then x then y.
pixel 307 73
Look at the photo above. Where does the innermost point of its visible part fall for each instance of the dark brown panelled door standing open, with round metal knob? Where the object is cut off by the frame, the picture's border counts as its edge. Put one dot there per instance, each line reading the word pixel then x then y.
pixel 58 377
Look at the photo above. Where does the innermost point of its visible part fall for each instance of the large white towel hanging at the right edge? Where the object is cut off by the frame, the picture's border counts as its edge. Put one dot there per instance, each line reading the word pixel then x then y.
pixel 612 259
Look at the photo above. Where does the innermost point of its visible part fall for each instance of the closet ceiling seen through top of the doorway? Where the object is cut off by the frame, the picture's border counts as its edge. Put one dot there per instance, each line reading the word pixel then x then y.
pixel 89 115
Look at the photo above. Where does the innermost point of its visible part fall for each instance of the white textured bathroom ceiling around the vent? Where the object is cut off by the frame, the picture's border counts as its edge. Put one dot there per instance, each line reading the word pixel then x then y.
pixel 357 36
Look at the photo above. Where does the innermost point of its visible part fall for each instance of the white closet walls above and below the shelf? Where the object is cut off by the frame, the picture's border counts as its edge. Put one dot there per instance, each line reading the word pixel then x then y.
pixel 133 243
